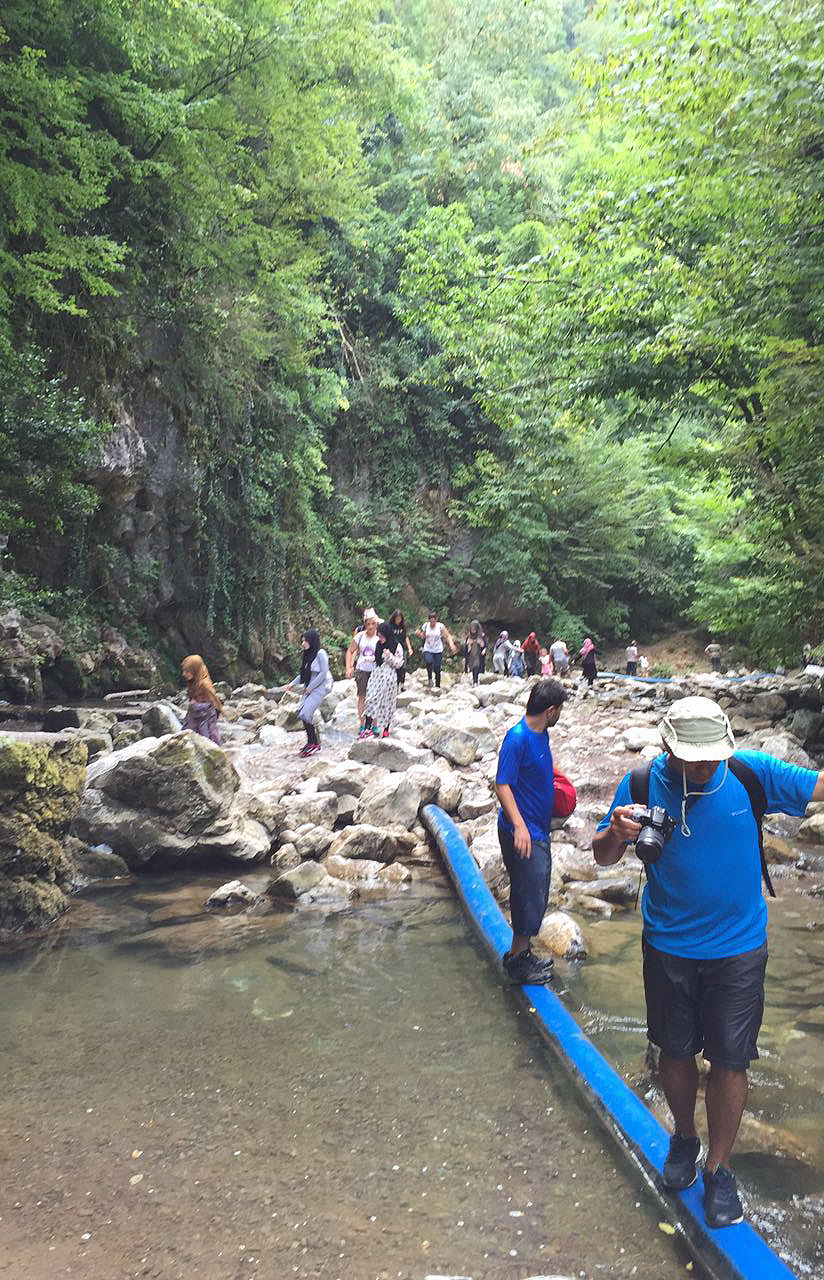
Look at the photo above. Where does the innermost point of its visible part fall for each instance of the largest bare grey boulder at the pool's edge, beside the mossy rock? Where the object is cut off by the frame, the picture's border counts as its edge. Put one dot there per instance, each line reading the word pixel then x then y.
pixel 176 798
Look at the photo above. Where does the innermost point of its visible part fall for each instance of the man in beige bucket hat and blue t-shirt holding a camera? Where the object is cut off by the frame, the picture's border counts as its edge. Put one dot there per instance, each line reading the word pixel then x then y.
pixel 706 930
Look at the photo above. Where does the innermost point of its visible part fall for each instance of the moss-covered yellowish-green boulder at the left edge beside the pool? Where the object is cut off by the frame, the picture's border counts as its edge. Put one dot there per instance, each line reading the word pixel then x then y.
pixel 42 783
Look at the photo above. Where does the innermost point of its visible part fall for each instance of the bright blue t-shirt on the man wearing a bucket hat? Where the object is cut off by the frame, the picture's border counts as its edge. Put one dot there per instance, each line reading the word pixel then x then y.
pixel 703 898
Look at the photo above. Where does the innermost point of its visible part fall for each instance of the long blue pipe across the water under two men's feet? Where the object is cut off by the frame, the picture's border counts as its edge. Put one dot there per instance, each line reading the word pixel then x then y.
pixel 729 1254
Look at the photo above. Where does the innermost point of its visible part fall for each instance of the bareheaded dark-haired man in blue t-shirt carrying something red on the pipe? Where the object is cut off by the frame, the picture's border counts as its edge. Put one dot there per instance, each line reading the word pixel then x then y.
pixel 525 785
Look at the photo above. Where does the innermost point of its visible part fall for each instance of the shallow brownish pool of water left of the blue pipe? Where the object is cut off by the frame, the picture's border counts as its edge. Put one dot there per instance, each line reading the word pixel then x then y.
pixel 349 1095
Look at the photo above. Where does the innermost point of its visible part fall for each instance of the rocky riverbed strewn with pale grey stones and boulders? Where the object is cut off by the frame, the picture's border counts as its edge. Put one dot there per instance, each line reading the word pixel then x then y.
pixel 347 822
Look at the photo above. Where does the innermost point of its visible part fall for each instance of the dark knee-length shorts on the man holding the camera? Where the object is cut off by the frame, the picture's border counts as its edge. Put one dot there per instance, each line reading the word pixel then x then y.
pixel 706 1007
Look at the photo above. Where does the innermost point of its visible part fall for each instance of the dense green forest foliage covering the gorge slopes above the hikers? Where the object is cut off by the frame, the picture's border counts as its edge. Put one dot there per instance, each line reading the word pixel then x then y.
pixel 491 305
